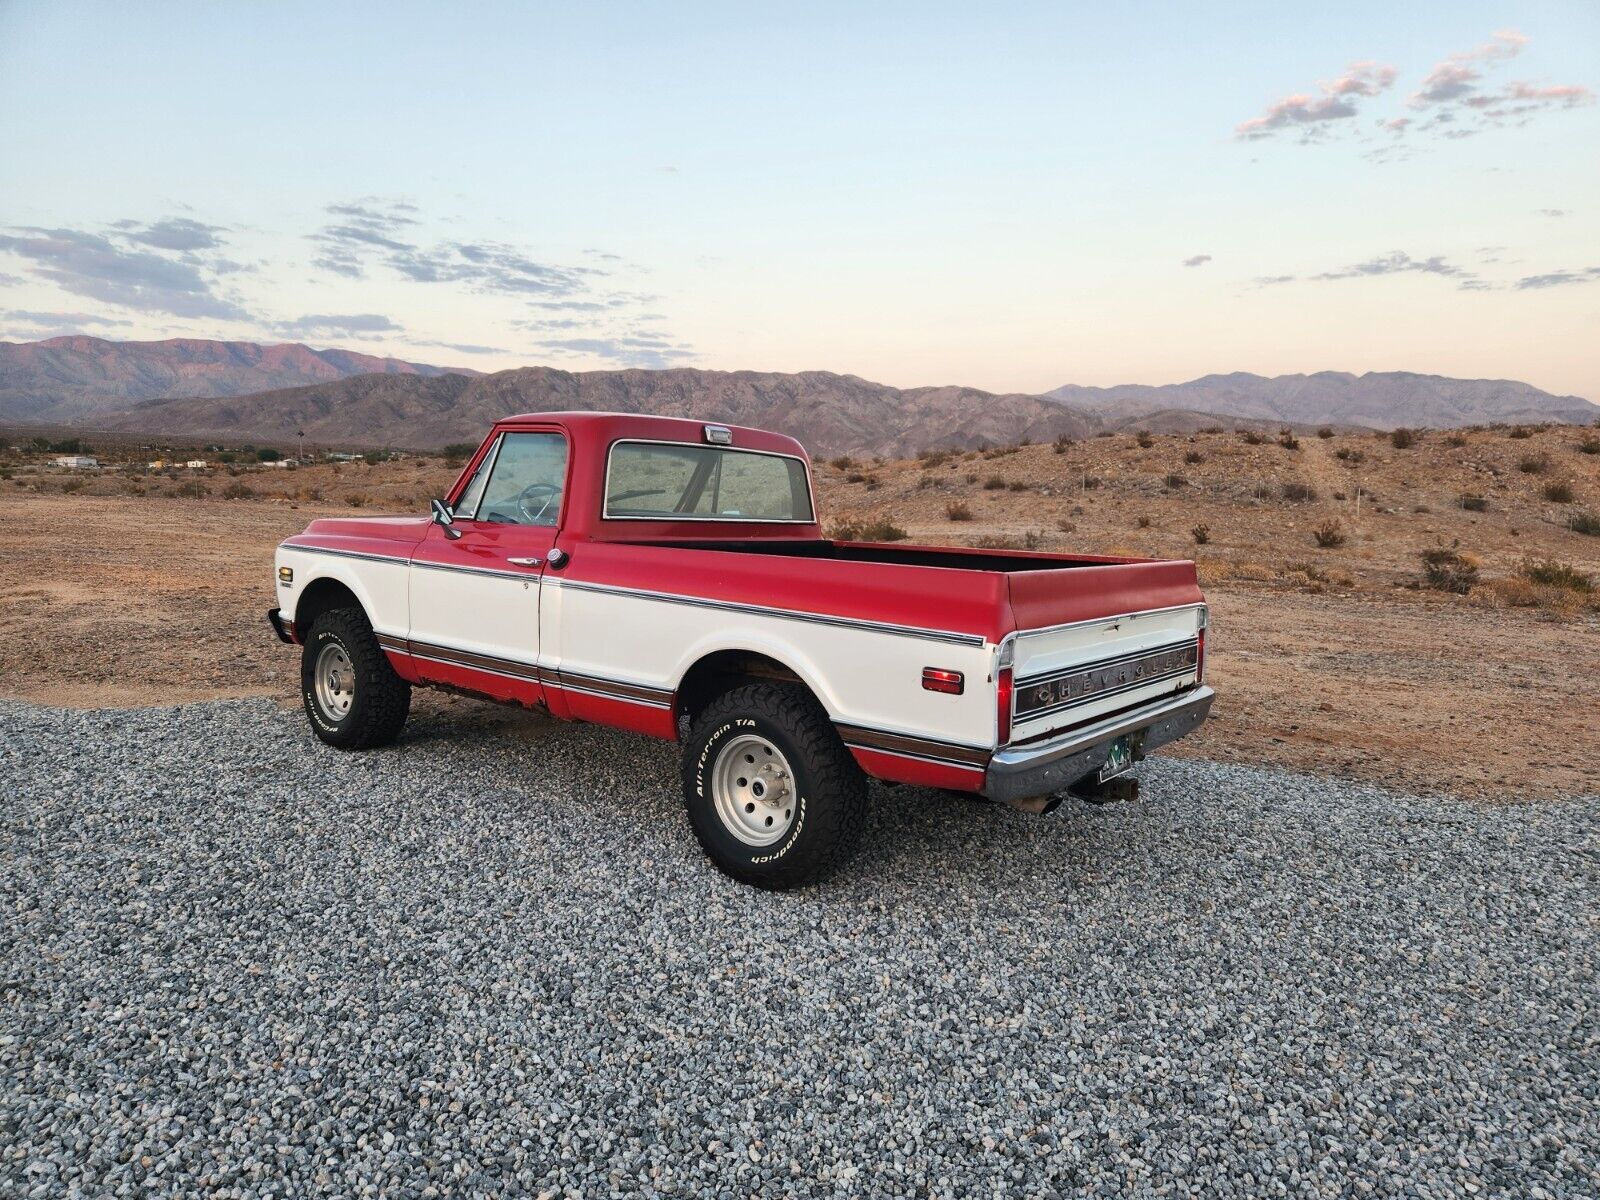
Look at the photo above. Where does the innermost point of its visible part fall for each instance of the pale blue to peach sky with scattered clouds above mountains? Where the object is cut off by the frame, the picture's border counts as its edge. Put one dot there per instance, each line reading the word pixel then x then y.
pixel 1009 196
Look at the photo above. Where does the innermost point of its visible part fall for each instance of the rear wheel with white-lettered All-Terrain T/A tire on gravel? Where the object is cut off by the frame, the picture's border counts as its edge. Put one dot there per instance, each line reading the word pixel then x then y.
pixel 772 793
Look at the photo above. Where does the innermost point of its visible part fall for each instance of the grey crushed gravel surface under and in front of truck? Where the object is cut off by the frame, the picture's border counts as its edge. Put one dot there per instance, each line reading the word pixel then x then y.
pixel 241 964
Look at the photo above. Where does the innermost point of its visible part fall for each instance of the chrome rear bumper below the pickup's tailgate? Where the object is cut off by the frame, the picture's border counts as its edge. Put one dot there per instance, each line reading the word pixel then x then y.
pixel 1042 769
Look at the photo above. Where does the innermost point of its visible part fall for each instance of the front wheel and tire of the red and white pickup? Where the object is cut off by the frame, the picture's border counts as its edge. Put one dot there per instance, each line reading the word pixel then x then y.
pixel 354 700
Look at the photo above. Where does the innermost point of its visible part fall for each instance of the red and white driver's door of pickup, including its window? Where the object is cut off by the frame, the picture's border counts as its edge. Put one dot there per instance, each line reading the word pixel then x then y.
pixel 476 583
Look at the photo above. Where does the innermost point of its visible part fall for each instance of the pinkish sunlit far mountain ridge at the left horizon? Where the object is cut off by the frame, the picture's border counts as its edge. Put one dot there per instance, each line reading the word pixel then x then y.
pixel 68 380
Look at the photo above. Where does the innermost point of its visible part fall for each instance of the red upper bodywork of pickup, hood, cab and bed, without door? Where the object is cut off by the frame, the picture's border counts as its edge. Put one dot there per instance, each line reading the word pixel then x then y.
pixel 990 594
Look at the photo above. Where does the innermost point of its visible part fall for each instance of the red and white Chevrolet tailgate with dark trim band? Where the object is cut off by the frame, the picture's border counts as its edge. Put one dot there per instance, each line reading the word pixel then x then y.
pixel 1124 636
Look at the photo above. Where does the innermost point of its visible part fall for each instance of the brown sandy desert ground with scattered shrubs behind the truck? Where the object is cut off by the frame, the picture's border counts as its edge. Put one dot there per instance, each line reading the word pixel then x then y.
pixel 1334 655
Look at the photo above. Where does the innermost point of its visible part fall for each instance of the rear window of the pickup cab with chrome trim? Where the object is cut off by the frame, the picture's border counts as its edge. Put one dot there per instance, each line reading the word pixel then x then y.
pixel 665 481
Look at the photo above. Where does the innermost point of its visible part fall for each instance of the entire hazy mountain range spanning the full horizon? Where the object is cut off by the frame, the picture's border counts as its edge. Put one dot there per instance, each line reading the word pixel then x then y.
pixel 337 398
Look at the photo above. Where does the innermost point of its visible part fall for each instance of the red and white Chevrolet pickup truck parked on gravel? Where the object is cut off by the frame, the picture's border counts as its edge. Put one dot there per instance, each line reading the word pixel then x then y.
pixel 671 578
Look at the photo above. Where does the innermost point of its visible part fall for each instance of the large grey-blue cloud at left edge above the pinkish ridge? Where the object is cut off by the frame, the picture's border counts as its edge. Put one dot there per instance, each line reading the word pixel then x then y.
pixel 95 266
